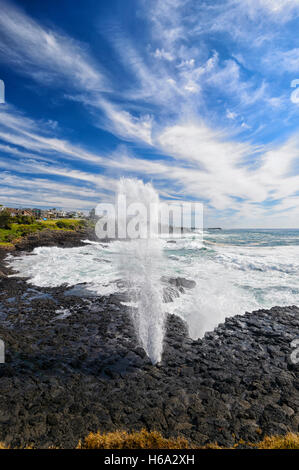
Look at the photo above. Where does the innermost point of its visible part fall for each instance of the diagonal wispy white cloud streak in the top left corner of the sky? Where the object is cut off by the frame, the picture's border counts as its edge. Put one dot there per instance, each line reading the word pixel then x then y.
pixel 45 54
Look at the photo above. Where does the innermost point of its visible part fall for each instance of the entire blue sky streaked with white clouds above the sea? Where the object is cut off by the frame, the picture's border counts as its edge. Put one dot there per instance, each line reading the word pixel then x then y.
pixel 201 98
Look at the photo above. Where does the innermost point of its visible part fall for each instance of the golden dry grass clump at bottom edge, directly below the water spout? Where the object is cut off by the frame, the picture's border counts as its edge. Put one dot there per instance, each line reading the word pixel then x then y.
pixel 135 440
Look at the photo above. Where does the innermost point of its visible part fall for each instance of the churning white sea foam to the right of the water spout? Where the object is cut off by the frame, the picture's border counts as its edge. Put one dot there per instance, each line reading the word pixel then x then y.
pixel 232 280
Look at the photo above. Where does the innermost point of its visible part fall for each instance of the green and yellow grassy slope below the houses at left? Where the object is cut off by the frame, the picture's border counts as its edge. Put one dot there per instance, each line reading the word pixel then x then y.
pixel 13 228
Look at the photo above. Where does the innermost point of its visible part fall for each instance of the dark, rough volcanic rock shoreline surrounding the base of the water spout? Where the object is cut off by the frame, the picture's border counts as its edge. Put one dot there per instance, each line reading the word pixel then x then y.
pixel 73 365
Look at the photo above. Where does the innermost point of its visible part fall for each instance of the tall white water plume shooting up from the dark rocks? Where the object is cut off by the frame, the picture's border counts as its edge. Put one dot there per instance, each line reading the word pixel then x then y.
pixel 141 261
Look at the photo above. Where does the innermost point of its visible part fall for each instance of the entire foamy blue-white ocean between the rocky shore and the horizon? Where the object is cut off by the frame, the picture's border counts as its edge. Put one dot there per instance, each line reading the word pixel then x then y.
pixel 235 271
